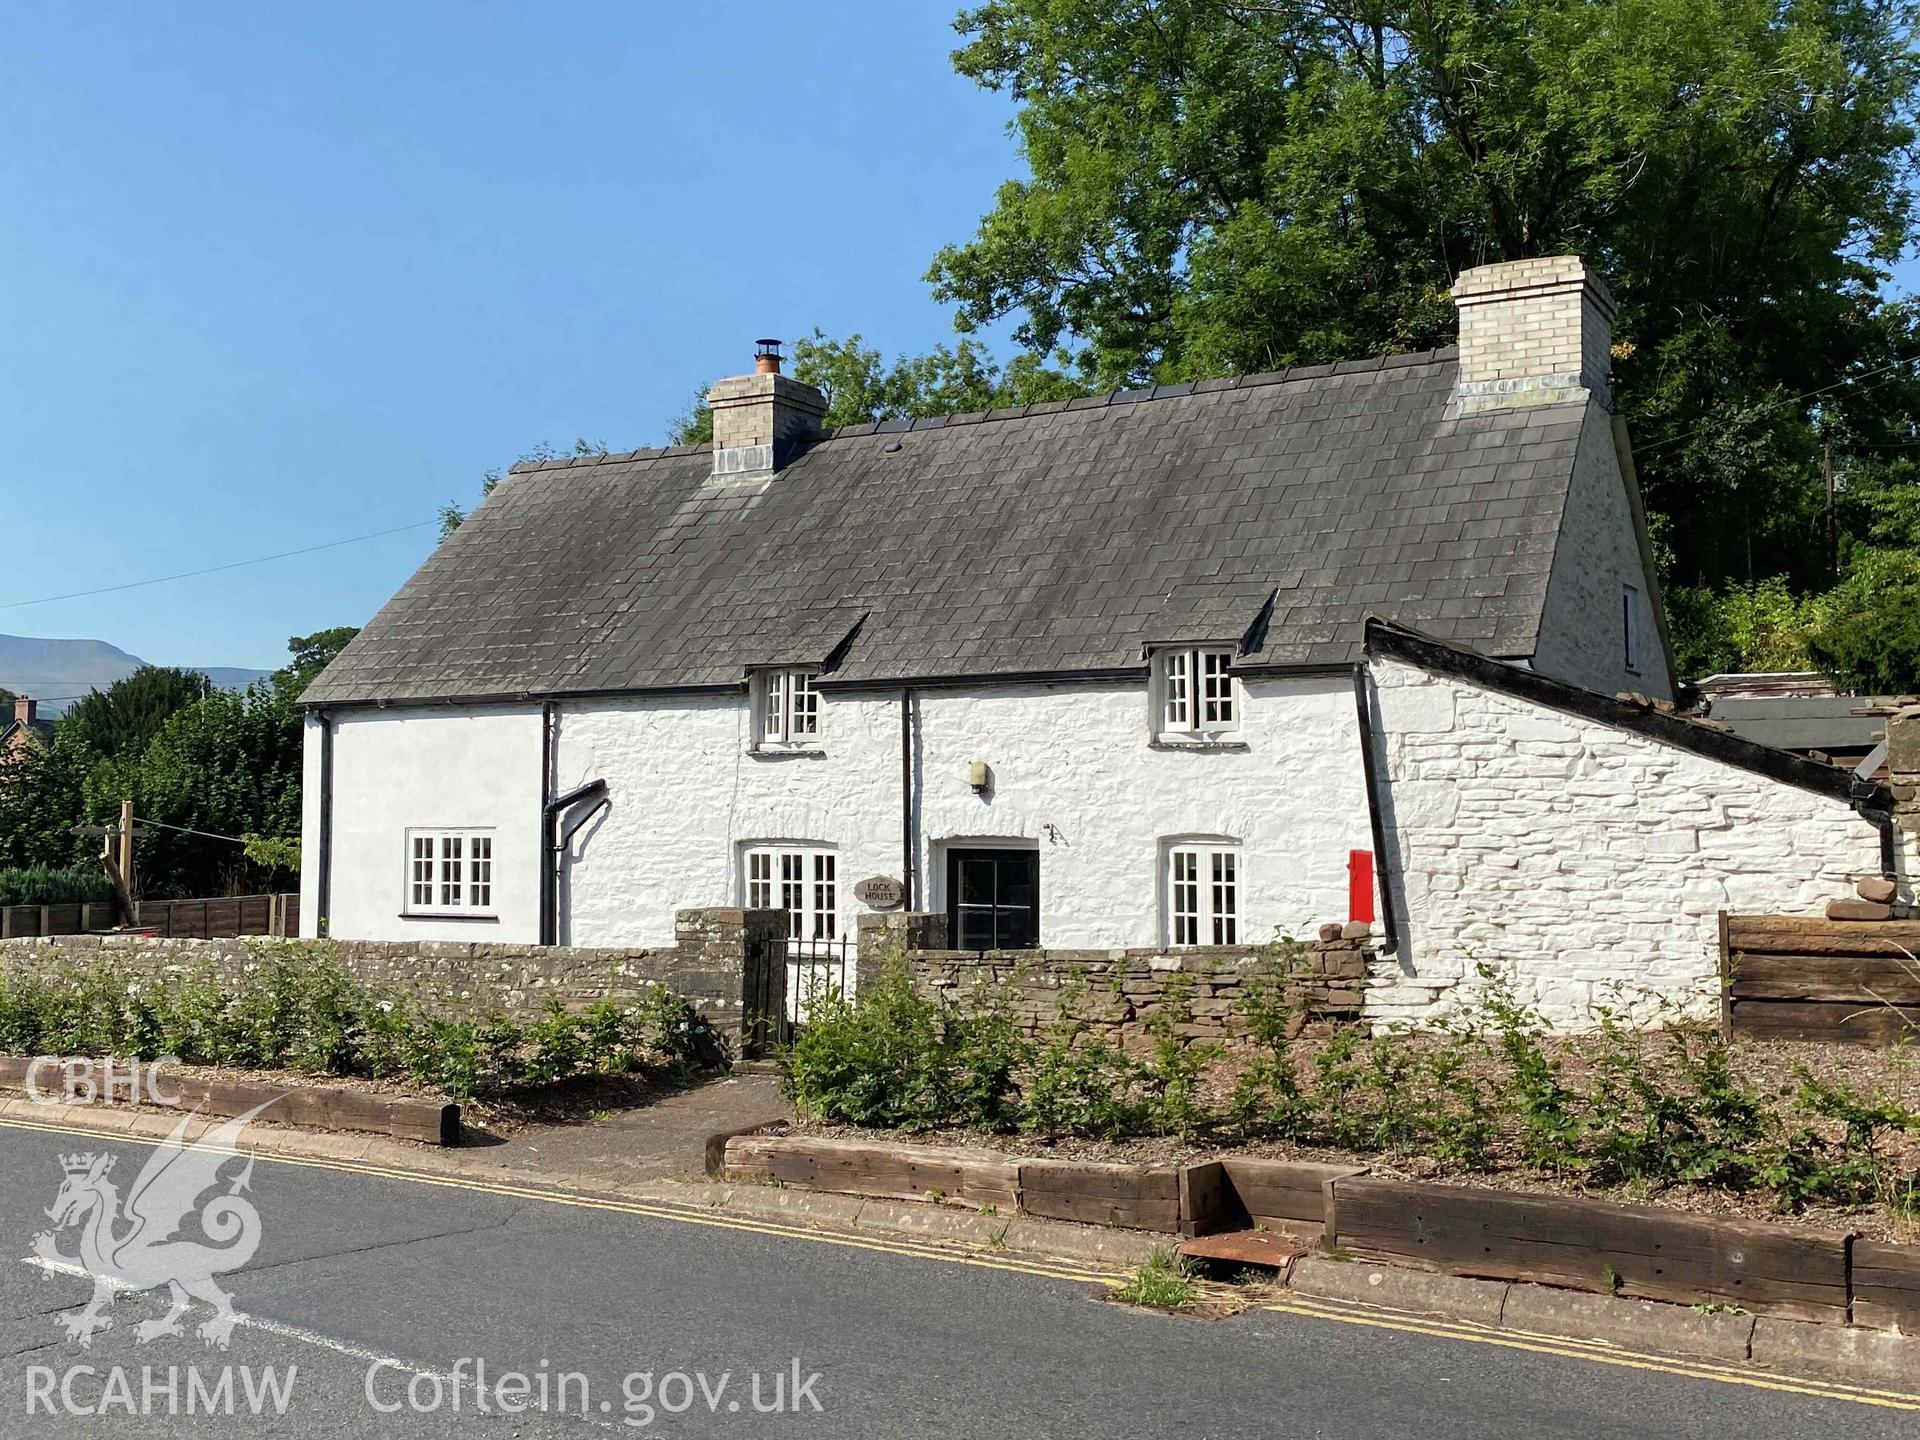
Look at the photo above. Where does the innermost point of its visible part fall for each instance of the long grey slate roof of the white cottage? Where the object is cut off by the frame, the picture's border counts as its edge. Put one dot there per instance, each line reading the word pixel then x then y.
pixel 1047 540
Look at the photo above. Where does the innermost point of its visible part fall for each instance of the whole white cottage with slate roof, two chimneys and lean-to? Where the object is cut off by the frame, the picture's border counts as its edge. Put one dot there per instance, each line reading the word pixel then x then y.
pixel 1170 667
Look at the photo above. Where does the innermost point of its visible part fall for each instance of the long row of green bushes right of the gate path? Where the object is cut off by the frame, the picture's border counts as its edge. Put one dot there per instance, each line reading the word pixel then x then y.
pixel 1650 1109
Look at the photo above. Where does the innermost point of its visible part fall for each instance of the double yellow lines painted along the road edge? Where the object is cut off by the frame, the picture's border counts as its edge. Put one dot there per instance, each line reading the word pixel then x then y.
pixel 1299 1307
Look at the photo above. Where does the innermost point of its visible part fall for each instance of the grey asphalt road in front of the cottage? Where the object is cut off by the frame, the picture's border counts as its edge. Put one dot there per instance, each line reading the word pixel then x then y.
pixel 406 1282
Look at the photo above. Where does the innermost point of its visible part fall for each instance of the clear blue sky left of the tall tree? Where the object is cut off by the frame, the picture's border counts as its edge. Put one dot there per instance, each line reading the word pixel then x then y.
pixel 276 276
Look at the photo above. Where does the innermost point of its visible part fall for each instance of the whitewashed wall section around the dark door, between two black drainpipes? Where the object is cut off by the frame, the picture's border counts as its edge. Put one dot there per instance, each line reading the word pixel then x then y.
pixel 1076 779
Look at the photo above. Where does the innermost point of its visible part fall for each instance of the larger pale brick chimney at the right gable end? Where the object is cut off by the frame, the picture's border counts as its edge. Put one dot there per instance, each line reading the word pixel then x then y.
pixel 1533 333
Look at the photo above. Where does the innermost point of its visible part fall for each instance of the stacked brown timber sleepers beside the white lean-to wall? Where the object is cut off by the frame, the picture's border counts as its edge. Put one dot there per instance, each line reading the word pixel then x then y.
pixel 1806 978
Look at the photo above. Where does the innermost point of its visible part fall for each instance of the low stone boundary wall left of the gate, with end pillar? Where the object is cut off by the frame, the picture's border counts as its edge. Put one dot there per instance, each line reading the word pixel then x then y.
pixel 706 965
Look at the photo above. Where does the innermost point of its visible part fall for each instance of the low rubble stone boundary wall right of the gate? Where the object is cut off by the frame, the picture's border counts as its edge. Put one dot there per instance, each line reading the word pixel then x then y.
pixel 1122 992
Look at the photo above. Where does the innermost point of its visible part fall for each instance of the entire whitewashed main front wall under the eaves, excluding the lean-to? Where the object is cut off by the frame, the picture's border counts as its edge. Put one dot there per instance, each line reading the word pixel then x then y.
pixel 1072 769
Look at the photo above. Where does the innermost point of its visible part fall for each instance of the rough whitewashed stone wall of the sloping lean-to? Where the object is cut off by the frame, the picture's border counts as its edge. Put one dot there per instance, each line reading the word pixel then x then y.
pixel 1583 859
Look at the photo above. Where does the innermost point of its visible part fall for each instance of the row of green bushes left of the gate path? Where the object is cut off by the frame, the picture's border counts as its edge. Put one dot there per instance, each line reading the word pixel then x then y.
pixel 299 1009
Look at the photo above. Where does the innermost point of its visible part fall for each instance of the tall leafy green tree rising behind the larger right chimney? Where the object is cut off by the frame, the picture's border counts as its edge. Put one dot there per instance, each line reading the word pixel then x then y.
pixel 1239 185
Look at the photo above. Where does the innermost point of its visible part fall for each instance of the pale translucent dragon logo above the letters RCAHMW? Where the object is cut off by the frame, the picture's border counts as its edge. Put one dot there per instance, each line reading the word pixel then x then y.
pixel 139 1245
